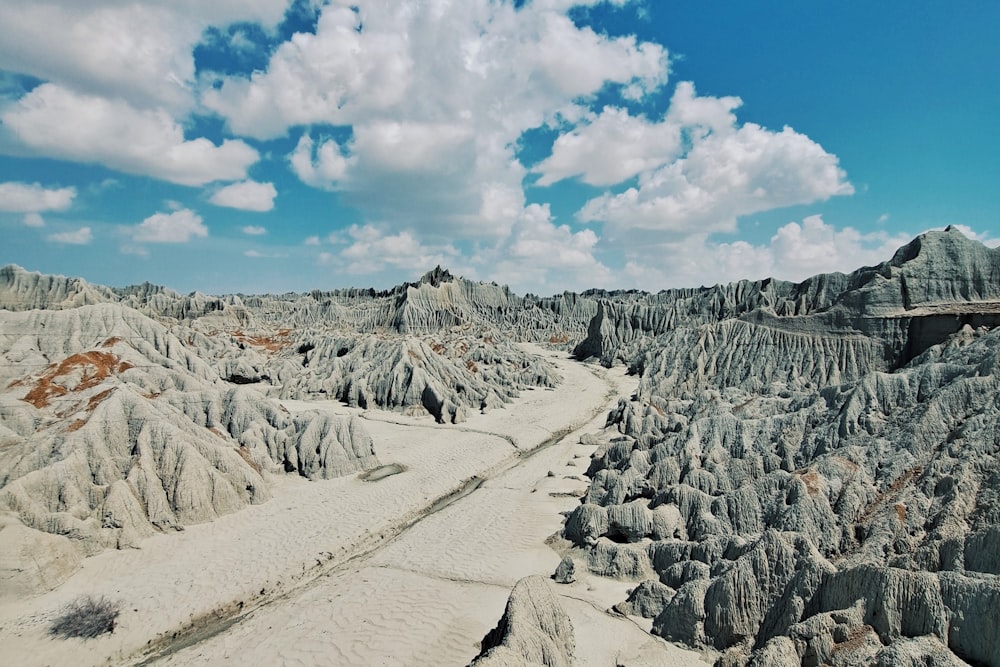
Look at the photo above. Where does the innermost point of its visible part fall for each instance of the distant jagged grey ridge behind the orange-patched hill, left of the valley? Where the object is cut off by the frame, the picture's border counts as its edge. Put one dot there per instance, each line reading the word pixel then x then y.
pixel 442 346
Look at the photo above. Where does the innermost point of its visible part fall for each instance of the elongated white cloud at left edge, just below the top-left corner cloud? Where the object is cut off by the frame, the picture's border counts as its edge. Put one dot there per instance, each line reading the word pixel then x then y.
pixel 59 123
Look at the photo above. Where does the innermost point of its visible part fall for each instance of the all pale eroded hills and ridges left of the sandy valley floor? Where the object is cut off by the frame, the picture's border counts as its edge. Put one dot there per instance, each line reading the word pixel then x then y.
pixel 126 411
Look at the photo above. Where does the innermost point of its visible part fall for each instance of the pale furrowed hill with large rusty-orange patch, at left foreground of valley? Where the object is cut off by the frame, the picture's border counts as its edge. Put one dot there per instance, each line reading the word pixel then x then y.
pixel 113 429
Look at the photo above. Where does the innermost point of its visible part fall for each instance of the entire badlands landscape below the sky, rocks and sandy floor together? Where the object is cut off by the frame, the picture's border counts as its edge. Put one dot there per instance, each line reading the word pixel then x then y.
pixel 445 473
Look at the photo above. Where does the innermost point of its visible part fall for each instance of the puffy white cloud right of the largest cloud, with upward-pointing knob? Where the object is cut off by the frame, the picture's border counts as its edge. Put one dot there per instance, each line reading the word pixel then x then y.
pixel 729 171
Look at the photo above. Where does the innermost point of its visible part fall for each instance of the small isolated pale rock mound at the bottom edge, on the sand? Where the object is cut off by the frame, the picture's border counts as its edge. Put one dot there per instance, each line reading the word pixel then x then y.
pixel 534 630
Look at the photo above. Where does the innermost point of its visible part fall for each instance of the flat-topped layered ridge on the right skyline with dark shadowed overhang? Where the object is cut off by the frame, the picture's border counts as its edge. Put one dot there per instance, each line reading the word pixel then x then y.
pixel 930 288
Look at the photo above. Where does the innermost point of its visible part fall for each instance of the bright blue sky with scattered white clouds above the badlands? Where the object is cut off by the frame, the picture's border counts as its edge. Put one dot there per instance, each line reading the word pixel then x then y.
pixel 286 145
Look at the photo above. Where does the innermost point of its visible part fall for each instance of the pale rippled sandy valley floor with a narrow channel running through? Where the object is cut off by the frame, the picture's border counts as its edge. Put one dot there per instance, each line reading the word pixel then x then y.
pixel 405 570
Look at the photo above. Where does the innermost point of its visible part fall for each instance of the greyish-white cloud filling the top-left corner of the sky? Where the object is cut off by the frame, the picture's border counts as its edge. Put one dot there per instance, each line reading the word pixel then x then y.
pixel 139 51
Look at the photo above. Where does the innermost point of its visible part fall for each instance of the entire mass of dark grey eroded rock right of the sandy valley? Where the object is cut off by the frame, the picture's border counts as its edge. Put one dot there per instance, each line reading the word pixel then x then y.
pixel 808 474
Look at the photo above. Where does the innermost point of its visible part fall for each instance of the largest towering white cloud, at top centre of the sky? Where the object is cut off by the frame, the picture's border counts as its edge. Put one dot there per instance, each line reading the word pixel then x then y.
pixel 436 96
